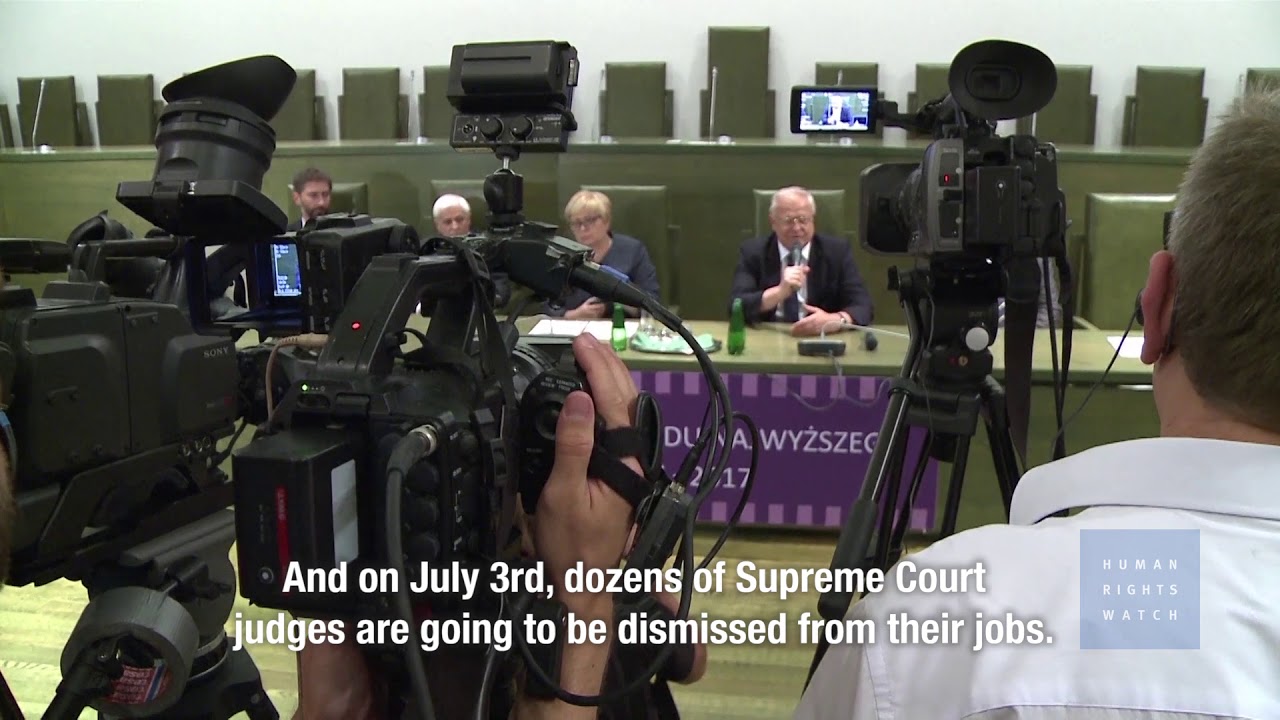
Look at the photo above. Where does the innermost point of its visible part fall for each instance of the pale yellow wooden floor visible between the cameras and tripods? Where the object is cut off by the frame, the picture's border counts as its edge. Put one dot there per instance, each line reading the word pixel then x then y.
pixel 742 682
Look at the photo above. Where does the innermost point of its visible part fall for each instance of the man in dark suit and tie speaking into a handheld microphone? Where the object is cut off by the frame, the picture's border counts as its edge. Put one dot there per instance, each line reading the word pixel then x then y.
pixel 801 277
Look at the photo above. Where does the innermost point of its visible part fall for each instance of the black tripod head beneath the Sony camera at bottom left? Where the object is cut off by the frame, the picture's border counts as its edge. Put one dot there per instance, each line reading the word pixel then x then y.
pixel 152 641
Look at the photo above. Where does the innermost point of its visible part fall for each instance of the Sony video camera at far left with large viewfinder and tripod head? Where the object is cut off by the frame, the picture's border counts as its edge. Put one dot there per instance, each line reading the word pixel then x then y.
pixel 117 405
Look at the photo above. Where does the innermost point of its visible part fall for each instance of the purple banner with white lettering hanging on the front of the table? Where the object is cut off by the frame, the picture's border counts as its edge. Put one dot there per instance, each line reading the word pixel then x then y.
pixel 817 436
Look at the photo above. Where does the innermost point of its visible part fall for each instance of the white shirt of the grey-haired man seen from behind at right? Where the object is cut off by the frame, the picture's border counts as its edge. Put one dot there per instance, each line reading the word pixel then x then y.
pixel 1227 491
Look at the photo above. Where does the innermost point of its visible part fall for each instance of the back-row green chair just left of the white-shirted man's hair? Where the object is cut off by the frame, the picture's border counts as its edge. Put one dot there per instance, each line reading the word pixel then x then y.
pixel 1168 108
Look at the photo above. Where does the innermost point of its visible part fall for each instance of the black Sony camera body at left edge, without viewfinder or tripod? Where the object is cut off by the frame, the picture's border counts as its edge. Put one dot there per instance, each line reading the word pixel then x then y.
pixel 116 408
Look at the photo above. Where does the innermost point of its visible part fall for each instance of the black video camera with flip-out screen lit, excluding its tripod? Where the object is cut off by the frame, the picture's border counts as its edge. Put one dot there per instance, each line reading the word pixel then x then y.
pixel 975 195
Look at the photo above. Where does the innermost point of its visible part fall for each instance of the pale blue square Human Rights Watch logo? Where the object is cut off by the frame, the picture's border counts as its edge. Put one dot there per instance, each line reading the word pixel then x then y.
pixel 1140 590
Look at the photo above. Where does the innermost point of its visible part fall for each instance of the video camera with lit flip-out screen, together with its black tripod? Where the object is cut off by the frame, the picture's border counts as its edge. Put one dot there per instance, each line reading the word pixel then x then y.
pixel 982 216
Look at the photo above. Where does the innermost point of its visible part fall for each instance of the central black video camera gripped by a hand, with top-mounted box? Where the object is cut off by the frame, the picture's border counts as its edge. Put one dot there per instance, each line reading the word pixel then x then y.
pixel 383 459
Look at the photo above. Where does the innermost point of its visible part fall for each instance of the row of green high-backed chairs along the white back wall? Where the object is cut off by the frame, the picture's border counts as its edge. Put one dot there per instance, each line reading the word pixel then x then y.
pixel 1168 107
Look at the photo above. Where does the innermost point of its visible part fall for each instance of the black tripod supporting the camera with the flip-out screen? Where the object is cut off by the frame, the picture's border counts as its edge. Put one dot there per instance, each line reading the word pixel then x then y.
pixel 945 388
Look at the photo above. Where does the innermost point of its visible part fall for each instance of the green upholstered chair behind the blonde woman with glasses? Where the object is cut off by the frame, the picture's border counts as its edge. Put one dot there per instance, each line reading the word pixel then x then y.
pixel 643 213
